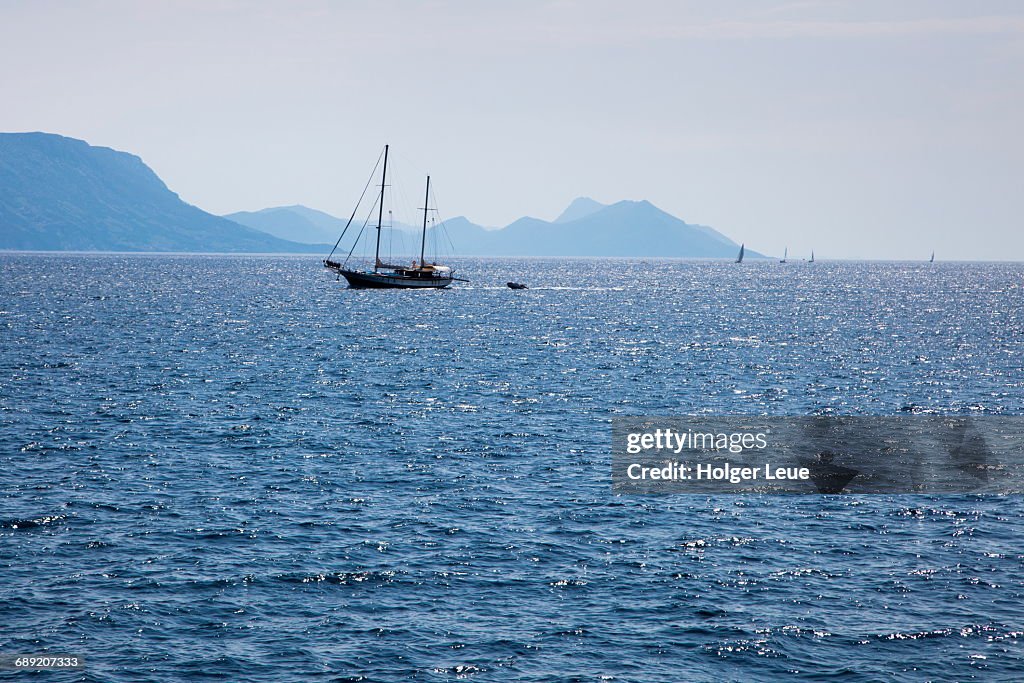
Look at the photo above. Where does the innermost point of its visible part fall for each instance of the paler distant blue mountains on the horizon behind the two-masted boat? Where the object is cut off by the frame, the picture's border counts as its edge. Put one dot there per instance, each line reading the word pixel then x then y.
pixel 585 229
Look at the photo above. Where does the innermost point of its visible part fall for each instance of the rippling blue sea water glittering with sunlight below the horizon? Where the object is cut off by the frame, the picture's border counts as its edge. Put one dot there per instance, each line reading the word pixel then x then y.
pixel 234 468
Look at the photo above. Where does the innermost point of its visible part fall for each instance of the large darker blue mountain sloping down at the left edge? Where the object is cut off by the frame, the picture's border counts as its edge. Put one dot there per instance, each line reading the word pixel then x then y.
pixel 61 194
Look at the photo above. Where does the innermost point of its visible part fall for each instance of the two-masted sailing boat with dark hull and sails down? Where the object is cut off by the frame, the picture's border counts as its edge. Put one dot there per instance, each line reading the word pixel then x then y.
pixel 387 276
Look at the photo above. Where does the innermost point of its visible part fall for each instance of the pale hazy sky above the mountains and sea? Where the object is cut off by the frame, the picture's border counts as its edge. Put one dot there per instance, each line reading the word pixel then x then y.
pixel 858 130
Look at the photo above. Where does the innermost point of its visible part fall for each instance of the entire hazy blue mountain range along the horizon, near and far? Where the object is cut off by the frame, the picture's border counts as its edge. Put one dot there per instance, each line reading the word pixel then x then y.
pixel 62 194
